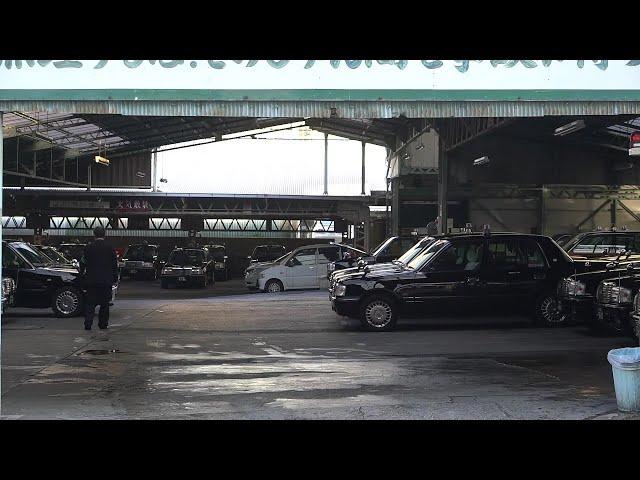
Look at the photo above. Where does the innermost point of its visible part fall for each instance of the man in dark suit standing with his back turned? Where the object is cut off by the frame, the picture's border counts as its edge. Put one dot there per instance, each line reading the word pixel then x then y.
pixel 99 265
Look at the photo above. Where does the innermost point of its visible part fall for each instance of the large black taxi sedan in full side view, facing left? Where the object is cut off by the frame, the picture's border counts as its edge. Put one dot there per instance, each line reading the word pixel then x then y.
pixel 459 273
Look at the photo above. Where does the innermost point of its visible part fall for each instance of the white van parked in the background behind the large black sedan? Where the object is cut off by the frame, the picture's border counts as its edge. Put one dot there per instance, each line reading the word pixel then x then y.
pixel 305 267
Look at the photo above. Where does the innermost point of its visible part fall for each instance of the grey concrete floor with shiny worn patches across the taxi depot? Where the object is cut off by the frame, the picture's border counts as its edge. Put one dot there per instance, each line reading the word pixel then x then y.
pixel 222 353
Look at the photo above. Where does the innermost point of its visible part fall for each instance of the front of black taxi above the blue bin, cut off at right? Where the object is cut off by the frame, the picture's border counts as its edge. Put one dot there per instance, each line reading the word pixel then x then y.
pixel 614 302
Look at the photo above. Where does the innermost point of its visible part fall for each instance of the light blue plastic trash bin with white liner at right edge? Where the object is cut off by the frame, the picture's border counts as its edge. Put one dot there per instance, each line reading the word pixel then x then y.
pixel 625 363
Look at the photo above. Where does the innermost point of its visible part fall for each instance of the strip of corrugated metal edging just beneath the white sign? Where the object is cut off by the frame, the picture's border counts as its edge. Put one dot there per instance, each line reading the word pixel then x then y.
pixel 326 109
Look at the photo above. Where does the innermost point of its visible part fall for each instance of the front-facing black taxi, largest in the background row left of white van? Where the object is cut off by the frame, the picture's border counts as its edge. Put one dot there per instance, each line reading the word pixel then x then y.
pixel 187 266
